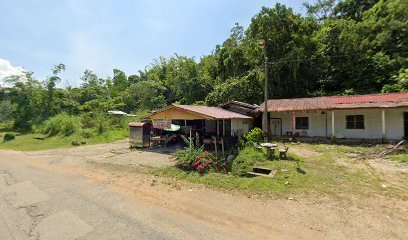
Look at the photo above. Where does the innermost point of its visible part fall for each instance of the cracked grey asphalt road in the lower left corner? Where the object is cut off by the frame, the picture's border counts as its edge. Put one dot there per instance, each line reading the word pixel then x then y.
pixel 37 203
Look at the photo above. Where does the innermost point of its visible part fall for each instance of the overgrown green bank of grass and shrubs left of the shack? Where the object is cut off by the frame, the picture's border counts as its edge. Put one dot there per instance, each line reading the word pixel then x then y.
pixel 65 131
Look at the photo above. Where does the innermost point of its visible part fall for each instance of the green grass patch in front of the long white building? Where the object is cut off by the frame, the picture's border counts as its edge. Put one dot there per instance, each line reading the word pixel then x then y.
pixel 300 175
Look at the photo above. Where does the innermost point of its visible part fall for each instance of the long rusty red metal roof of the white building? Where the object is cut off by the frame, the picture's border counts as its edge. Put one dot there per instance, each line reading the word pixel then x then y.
pixel 383 100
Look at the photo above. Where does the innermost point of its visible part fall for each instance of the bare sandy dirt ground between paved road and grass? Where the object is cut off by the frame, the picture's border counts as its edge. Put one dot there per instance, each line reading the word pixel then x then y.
pixel 298 217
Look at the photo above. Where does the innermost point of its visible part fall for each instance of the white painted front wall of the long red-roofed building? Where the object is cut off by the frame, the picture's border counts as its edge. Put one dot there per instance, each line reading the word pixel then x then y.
pixel 372 121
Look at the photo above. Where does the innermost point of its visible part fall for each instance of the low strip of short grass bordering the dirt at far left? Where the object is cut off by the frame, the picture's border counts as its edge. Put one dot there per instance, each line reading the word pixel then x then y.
pixel 28 142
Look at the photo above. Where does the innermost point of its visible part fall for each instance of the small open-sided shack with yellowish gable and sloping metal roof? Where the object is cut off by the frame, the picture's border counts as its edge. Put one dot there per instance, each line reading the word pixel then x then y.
pixel 214 125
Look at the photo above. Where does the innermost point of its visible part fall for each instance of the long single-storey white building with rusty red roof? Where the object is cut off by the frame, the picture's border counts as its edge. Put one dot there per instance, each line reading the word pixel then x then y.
pixel 372 116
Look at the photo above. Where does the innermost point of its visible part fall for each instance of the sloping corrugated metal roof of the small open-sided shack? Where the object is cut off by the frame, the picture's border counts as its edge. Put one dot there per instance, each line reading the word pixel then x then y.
pixel 214 112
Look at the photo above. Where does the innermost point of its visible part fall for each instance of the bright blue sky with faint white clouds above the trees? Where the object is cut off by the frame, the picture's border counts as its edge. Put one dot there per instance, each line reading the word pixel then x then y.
pixel 101 35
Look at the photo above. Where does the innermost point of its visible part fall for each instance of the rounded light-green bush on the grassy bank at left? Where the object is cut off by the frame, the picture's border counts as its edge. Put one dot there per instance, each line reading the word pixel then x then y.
pixel 62 123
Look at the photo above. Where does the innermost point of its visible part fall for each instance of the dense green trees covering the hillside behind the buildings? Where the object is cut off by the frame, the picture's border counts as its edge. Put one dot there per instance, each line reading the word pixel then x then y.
pixel 340 47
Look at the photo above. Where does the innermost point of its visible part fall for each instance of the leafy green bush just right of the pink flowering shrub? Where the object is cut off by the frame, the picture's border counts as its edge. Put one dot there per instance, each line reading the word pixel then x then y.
pixel 246 160
